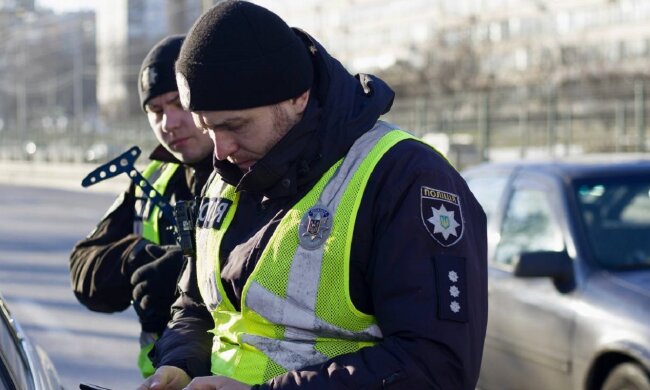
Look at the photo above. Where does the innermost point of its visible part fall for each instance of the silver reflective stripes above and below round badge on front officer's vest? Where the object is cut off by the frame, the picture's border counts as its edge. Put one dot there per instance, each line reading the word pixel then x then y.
pixel 297 311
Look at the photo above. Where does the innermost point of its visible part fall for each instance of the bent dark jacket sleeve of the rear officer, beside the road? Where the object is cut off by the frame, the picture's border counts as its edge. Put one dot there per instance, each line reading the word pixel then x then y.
pixel 97 263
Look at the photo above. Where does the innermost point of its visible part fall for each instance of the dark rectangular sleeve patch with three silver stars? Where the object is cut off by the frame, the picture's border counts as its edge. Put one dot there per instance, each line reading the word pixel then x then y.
pixel 451 288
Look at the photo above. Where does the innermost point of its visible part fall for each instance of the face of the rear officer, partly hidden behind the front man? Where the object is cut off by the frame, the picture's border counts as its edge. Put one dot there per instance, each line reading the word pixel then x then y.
pixel 175 129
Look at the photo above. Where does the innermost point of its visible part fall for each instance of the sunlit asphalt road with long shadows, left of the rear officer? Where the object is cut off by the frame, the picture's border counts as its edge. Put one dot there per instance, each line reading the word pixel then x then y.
pixel 38 227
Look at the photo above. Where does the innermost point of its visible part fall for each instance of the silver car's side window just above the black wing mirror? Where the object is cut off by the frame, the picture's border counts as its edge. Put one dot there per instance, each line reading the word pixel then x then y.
pixel 528 226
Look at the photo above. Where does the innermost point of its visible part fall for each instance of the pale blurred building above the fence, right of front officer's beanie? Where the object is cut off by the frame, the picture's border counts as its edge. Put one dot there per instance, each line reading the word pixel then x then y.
pixel 466 44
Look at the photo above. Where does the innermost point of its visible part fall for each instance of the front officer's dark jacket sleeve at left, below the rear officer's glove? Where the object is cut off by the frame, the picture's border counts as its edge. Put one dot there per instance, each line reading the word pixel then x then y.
pixel 186 342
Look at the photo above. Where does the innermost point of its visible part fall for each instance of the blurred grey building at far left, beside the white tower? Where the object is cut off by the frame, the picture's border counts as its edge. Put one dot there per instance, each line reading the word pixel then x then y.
pixel 47 82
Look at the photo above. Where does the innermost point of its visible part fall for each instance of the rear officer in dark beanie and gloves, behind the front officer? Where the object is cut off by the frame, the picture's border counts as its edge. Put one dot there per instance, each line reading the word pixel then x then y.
pixel 131 255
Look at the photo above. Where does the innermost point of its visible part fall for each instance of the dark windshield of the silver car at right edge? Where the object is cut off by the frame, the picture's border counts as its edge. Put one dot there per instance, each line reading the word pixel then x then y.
pixel 616 214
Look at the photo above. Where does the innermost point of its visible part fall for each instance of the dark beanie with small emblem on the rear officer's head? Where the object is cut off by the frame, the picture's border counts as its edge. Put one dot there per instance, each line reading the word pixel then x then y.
pixel 157 70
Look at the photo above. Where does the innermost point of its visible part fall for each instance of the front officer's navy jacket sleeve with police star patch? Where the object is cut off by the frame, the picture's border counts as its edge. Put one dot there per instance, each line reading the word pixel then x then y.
pixel 426 277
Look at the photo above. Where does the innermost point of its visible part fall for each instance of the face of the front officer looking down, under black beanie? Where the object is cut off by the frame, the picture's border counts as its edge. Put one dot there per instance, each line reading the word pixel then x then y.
pixel 243 137
